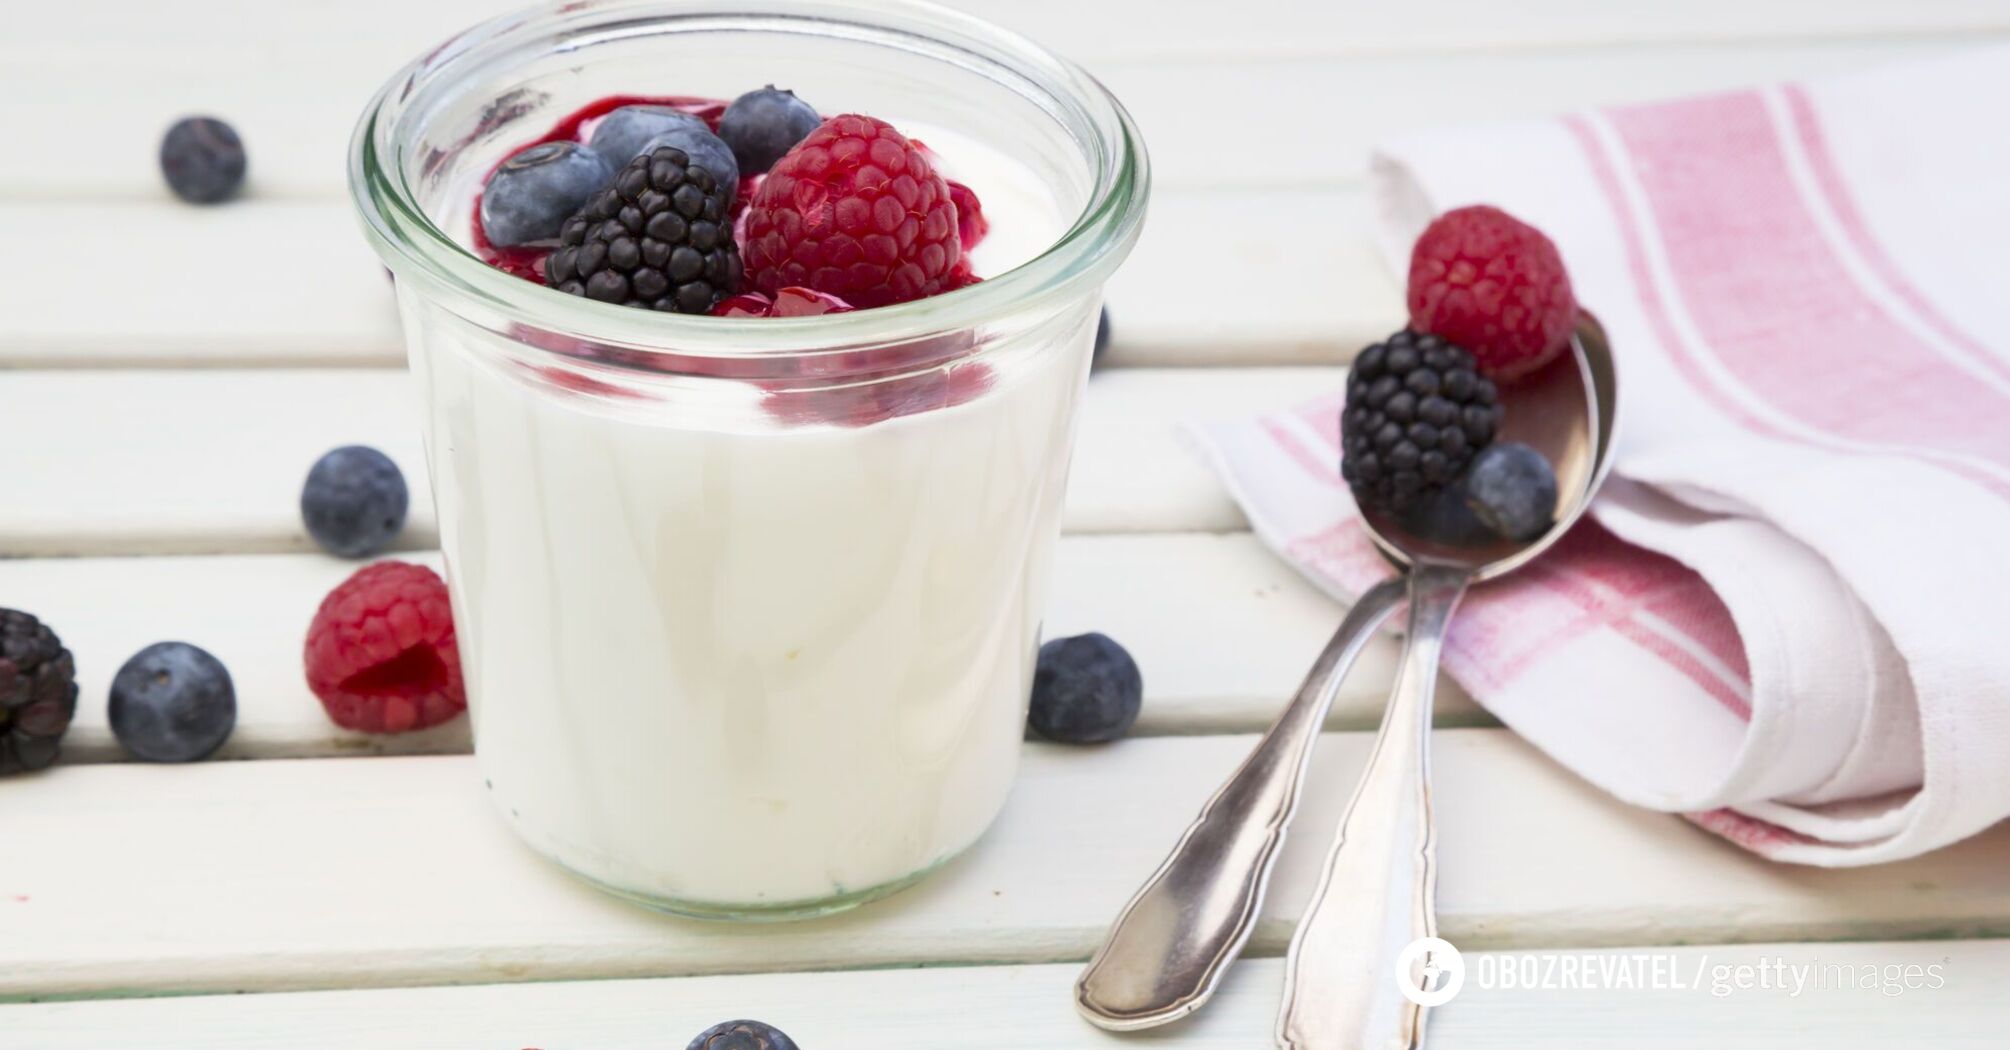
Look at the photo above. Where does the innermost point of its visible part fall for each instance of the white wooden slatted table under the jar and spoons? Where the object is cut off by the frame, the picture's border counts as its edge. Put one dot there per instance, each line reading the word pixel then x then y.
pixel 174 371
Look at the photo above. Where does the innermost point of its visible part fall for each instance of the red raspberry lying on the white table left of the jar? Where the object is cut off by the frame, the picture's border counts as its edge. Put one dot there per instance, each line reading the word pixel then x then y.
pixel 381 651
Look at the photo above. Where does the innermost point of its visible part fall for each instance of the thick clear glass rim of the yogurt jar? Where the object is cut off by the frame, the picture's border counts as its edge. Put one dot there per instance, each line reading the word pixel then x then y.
pixel 1094 244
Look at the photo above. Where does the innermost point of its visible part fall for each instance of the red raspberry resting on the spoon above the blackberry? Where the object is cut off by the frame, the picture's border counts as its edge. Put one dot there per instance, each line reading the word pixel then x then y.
pixel 1492 285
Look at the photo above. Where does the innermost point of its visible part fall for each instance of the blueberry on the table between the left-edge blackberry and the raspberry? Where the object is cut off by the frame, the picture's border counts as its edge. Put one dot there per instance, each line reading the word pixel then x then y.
pixel 174 703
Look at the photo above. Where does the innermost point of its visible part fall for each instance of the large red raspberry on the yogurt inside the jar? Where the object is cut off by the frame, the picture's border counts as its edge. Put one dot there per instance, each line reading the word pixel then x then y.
pixel 857 212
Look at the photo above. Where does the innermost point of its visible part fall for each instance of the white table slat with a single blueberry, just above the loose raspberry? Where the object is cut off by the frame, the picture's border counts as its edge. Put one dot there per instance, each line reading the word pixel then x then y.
pixel 212 462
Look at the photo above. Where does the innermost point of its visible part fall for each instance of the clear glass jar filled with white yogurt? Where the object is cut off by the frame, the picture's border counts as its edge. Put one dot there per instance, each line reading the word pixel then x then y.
pixel 749 608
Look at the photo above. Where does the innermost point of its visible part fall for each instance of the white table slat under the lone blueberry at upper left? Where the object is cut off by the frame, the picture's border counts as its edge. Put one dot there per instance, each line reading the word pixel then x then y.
pixel 1225 124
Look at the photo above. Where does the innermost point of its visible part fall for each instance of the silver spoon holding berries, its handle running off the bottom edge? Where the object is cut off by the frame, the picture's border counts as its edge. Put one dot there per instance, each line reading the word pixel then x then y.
pixel 1380 888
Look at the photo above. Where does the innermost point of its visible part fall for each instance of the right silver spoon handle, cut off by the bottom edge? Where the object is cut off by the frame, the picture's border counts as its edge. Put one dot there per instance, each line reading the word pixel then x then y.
pixel 1380 890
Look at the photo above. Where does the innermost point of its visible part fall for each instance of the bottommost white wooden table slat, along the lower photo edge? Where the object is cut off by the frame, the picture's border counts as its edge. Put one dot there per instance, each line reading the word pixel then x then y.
pixel 1955 1007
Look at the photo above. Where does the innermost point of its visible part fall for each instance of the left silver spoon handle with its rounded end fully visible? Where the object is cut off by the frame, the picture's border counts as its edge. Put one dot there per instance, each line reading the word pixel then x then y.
pixel 1187 924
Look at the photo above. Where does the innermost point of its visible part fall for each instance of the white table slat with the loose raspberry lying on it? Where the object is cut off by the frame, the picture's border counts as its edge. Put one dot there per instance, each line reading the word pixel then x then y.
pixel 1221 629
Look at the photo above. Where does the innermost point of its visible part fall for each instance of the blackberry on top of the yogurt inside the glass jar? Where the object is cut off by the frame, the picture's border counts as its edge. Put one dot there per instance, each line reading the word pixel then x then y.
pixel 658 238
